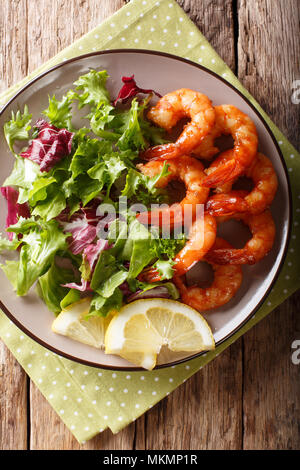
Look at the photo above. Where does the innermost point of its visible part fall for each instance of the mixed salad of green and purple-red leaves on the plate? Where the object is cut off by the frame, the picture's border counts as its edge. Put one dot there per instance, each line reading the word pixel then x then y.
pixel 70 197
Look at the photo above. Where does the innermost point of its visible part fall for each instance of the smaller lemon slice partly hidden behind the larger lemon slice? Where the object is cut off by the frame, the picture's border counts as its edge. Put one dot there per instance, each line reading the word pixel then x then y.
pixel 72 322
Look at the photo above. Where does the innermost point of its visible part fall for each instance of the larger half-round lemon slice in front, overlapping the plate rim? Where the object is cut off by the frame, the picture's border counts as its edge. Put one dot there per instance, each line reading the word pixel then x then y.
pixel 142 327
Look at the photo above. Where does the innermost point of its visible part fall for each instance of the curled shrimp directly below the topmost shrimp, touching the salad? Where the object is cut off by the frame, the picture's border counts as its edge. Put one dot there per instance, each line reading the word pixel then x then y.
pixel 186 169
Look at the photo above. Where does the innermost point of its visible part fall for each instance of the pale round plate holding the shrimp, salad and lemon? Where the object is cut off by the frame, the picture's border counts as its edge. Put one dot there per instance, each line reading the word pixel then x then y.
pixel 163 73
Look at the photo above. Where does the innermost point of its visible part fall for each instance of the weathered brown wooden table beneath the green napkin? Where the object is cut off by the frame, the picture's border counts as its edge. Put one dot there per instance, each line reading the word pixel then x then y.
pixel 247 398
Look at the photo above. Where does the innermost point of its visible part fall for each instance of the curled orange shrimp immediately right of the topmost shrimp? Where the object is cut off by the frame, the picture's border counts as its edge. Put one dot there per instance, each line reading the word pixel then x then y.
pixel 230 120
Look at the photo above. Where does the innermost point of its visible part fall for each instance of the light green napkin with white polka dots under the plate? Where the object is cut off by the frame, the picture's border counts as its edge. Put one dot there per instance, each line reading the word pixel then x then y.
pixel 89 400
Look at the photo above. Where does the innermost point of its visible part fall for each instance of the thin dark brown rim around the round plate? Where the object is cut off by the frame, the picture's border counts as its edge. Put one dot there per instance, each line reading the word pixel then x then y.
pixel 290 207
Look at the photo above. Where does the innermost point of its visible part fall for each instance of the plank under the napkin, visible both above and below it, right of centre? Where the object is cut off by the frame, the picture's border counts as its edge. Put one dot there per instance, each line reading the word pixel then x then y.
pixel 206 412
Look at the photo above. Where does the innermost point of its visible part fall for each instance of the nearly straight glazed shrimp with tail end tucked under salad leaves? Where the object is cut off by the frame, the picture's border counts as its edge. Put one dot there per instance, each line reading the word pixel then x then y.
pixel 201 238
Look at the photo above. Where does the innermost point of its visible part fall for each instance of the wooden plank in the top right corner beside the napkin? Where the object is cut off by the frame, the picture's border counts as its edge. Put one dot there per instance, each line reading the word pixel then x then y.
pixel 269 58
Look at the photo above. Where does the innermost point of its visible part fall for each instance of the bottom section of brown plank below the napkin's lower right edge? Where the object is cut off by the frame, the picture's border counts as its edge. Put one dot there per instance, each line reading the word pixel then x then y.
pixel 203 413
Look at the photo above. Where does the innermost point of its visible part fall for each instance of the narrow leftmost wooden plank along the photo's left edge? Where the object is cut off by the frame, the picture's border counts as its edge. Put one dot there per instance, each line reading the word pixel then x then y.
pixel 13 390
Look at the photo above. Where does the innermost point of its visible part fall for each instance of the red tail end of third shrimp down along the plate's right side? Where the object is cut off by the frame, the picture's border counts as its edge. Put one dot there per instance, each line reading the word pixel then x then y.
pixel 227 204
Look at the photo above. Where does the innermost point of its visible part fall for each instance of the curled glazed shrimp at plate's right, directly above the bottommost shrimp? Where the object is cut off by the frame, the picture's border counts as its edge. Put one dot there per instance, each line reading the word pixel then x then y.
pixel 262 228
